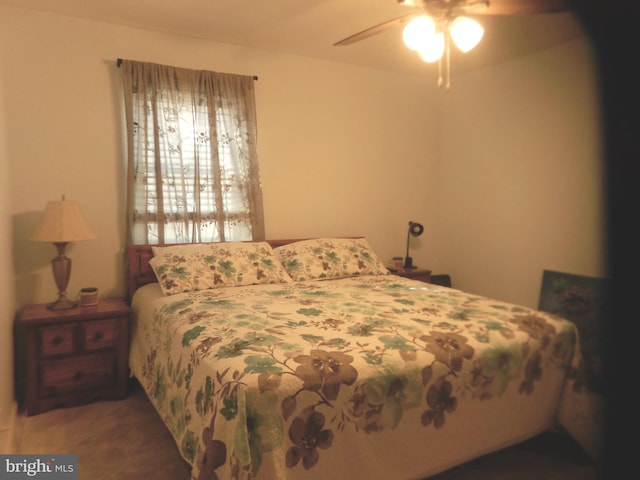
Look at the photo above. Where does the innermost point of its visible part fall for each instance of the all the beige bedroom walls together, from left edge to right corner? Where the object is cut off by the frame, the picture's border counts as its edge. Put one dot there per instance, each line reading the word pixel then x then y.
pixel 503 170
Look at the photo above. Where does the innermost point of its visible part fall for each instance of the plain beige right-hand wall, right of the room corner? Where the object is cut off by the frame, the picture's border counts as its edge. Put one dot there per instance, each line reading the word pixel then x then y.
pixel 520 175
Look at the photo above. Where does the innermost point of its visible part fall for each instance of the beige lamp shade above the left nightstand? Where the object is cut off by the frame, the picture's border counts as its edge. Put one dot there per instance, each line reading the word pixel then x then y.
pixel 63 222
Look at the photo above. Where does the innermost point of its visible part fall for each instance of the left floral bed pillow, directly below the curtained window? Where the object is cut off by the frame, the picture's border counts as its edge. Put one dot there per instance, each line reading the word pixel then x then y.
pixel 201 266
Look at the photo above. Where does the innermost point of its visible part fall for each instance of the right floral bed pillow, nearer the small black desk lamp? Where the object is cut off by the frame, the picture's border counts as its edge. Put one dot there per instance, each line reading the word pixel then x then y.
pixel 329 258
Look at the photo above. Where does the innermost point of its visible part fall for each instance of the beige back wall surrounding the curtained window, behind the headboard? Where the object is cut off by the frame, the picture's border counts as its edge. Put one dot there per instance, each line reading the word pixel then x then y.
pixel 343 150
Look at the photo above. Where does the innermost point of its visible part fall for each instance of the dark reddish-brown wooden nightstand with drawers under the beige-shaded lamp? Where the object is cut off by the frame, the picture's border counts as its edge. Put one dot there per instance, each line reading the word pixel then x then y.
pixel 75 356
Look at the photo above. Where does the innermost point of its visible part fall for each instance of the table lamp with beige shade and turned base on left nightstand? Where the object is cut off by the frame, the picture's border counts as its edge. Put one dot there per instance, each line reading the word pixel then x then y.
pixel 62 223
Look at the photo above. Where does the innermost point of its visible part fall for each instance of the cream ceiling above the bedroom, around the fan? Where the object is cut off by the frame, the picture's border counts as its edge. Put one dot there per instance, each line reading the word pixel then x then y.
pixel 311 27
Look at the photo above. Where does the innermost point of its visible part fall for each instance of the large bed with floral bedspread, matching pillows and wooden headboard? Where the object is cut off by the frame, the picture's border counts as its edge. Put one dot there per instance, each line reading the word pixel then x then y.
pixel 308 359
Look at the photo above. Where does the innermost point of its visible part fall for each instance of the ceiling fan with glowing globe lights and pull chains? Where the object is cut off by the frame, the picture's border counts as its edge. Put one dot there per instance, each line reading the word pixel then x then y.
pixel 432 25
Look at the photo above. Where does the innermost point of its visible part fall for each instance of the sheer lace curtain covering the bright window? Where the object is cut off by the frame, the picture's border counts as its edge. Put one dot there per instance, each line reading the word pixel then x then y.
pixel 192 161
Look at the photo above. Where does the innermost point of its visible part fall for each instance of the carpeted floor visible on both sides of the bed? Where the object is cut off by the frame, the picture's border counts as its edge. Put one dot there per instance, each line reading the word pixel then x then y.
pixel 110 439
